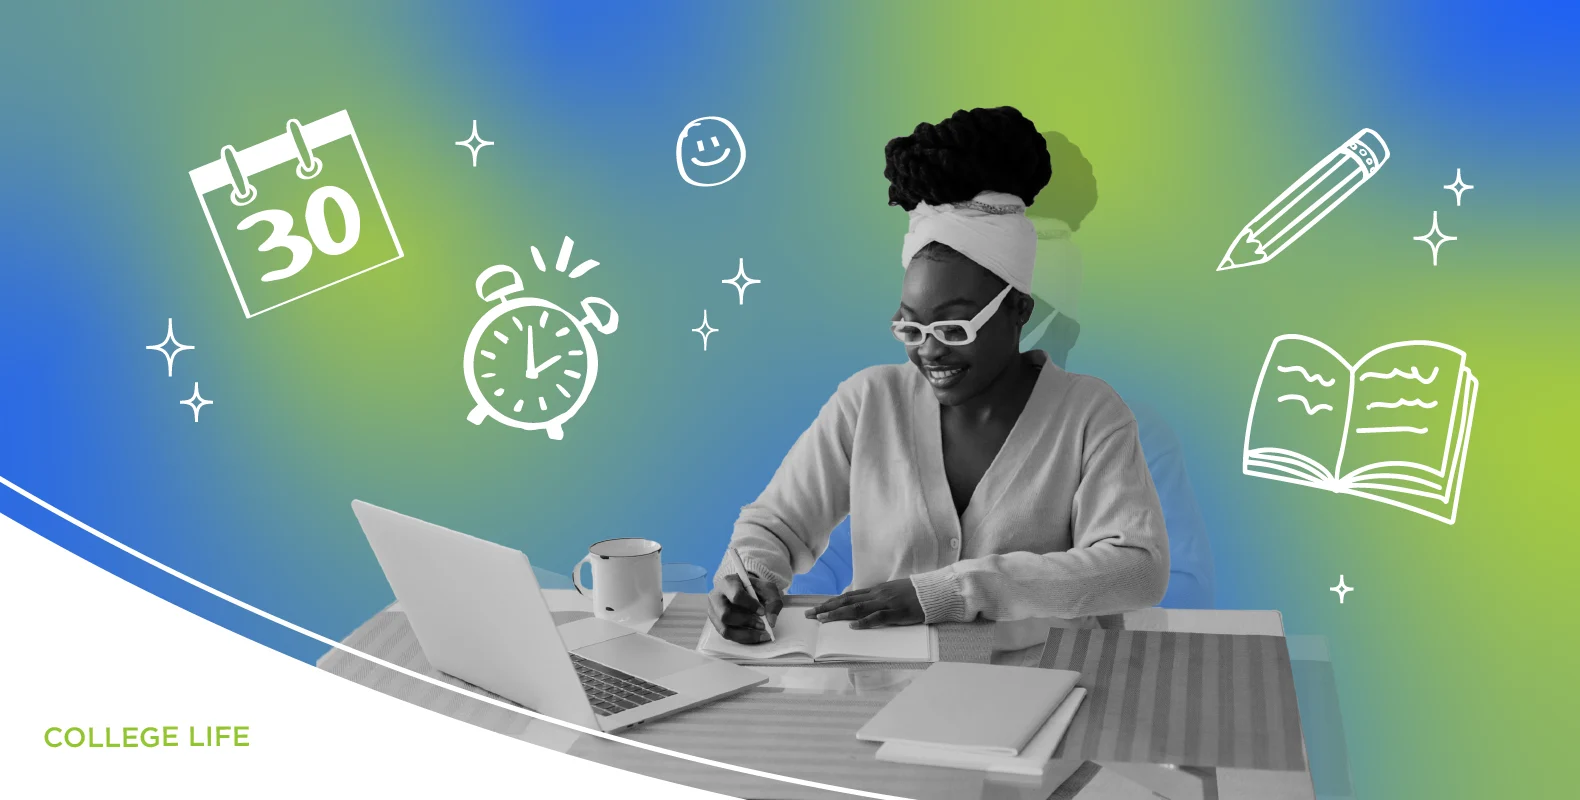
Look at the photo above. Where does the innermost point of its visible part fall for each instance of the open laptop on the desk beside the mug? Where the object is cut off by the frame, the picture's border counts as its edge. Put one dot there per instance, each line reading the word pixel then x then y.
pixel 481 617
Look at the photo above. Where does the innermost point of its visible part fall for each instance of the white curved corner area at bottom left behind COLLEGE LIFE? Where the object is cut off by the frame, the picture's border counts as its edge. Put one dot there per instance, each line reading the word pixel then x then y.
pixel 296 720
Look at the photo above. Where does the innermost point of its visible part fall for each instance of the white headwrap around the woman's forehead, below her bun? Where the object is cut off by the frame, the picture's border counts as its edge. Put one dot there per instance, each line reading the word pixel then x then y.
pixel 990 230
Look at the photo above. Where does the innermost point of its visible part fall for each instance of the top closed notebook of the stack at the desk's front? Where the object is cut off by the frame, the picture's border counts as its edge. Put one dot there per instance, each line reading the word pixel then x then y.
pixel 972 708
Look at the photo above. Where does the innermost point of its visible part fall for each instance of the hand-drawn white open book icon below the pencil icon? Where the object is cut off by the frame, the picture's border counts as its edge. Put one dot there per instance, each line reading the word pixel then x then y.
pixel 1394 428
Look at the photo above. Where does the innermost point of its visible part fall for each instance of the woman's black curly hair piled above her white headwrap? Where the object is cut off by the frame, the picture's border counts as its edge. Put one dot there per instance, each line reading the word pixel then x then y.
pixel 965 156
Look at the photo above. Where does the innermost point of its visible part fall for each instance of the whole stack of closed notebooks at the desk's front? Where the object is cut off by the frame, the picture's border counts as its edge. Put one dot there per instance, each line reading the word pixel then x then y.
pixel 977 717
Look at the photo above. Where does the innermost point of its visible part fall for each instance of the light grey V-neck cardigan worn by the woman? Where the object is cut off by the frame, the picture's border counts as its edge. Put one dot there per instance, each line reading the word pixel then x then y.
pixel 1064 524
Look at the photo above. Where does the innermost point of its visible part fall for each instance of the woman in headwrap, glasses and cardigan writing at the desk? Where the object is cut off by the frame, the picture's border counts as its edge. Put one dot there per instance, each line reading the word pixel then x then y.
pixel 980 481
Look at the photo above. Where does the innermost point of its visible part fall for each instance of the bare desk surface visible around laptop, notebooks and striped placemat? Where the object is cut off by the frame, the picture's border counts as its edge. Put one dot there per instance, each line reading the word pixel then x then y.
pixel 803 722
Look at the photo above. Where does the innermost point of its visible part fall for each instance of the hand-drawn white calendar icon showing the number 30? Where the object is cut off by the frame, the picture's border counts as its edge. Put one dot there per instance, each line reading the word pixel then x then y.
pixel 296 214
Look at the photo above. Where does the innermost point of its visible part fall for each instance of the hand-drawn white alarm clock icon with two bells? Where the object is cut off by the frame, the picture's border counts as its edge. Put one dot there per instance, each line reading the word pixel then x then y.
pixel 529 363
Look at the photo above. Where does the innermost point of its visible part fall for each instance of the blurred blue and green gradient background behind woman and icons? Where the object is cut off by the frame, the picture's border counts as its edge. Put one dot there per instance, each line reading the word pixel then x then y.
pixel 1456 657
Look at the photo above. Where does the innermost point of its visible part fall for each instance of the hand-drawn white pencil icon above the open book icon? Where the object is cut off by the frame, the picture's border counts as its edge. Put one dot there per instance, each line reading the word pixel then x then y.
pixel 1311 198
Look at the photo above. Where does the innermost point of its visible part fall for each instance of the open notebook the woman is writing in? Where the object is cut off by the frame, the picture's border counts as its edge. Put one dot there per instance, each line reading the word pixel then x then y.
pixel 803 641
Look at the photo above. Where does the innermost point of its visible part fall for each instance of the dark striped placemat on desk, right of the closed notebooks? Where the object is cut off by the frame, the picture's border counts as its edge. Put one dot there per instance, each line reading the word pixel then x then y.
pixel 1175 698
